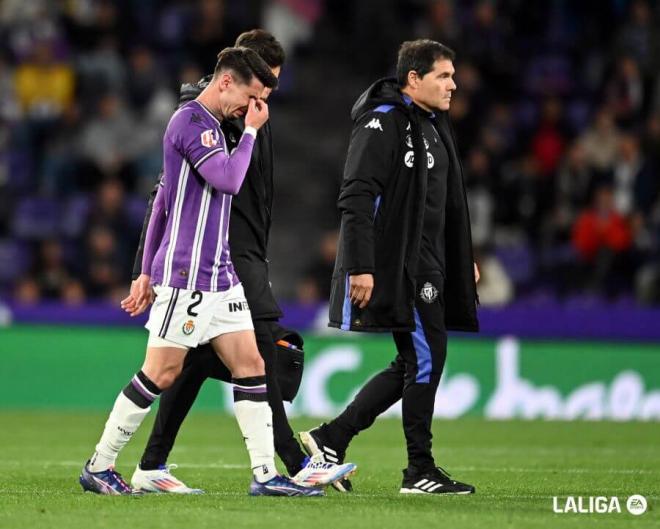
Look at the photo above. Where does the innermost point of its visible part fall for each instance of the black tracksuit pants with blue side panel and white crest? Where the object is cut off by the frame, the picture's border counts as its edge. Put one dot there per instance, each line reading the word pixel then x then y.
pixel 413 377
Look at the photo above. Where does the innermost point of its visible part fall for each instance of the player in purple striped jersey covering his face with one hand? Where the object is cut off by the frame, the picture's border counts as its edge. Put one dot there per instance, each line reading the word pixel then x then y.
pixel 199 298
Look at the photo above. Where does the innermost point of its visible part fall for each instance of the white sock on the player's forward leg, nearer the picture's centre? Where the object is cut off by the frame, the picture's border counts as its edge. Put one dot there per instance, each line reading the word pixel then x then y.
pixel 255 419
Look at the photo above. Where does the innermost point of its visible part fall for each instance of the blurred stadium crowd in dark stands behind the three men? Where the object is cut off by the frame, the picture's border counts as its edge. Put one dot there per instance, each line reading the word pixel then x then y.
pixel 557 116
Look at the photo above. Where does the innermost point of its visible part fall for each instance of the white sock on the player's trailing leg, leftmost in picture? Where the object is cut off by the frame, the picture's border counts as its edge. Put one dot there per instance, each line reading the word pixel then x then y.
pixel 125 418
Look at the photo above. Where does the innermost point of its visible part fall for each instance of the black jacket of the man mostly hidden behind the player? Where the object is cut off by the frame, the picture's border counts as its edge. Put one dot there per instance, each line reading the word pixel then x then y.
pixel 250 220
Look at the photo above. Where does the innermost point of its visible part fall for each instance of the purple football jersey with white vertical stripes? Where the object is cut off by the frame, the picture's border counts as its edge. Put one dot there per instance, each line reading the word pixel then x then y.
pixel 193 250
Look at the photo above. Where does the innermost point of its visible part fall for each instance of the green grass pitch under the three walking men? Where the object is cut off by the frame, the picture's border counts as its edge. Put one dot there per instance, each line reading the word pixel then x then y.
pixel 517 468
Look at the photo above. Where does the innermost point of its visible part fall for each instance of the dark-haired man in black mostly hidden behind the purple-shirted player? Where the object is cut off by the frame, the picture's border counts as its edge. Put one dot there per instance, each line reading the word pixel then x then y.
pixel 249 228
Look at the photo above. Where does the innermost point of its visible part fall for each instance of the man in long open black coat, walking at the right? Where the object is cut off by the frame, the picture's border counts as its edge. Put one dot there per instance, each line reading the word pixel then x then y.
pixel 404 262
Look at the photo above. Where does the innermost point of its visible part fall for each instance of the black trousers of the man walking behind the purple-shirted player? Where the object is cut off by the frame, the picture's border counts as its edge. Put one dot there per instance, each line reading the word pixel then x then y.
pixel 202 363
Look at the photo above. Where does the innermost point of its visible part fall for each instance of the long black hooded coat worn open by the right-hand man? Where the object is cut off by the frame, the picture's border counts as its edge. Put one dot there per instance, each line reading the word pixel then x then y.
pixel 382 201
